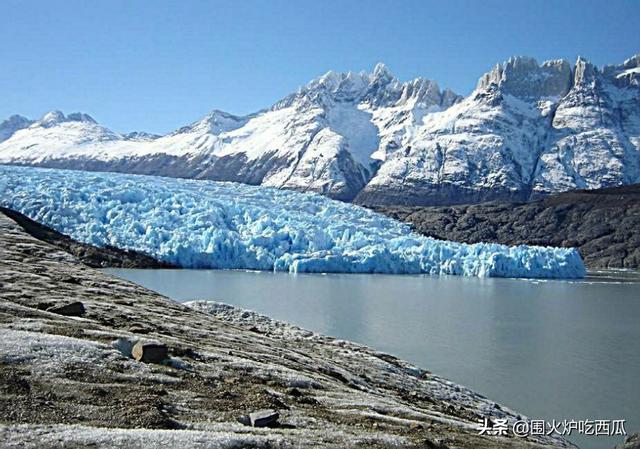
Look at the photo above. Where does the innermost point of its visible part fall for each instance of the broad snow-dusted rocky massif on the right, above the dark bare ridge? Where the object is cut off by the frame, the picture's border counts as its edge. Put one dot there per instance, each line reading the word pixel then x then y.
pixel 526 130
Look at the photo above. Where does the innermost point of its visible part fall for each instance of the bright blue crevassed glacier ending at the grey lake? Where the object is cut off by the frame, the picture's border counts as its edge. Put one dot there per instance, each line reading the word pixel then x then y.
pixel 205 224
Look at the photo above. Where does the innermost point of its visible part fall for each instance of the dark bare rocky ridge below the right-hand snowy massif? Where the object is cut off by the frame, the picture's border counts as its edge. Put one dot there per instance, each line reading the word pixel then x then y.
pixel 603 224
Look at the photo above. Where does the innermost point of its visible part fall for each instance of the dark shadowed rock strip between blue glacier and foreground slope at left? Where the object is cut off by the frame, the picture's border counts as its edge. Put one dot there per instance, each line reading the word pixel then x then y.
pixel 90 255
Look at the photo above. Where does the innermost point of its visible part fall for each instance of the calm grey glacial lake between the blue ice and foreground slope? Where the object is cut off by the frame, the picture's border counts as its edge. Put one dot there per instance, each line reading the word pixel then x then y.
pixel 549 349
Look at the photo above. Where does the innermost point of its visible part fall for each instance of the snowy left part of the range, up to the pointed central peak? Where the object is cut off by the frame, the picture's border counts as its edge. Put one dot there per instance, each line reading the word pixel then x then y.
pixel 329 137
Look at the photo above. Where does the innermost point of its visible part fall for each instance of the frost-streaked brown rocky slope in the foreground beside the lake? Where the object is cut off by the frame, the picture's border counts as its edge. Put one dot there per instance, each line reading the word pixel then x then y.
pixel 67 377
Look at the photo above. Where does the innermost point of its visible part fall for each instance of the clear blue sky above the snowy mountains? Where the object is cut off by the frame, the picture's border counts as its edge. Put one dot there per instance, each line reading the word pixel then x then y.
pixel 158 65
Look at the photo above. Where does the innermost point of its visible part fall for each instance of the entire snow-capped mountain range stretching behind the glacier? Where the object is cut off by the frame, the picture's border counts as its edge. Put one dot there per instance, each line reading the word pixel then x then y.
pixel 528 129
